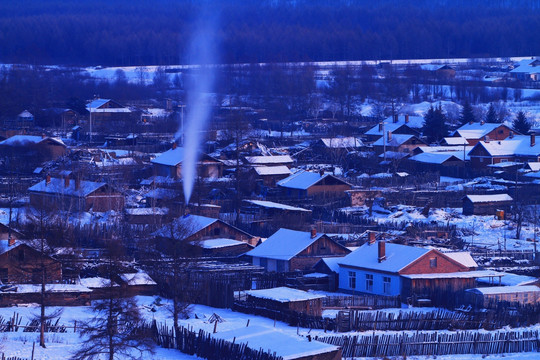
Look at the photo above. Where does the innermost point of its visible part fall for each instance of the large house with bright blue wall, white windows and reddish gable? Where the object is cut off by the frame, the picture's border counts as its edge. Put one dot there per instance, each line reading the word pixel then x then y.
pixel 391 269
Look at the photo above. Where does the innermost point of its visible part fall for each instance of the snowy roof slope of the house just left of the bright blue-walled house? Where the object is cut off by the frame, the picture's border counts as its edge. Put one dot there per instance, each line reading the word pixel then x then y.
pixel 284 244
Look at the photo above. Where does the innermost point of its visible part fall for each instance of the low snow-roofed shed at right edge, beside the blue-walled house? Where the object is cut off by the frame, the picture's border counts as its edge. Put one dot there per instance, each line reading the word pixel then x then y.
pixel 490 296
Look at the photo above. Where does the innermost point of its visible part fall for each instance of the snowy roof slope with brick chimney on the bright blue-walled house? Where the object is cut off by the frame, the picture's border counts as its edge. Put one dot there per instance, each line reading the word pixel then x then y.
pixel 397 257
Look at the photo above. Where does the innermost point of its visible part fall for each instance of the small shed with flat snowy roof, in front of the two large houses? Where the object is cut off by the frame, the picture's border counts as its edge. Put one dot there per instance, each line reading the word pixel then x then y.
pixel 286 299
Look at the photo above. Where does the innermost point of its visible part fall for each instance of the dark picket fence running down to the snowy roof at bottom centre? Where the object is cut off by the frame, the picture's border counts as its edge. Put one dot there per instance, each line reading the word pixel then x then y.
pixel 204 345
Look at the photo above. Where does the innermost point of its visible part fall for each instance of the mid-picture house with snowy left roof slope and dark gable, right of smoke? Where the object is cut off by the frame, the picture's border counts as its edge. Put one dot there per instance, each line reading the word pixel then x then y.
pixel 303 184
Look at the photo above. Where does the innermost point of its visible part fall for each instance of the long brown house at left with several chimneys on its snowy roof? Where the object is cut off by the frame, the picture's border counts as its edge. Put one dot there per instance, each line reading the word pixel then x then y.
pixel 75 195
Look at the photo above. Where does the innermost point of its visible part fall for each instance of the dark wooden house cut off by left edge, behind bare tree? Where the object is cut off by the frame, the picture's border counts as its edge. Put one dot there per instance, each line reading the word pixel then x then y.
pixel 21 263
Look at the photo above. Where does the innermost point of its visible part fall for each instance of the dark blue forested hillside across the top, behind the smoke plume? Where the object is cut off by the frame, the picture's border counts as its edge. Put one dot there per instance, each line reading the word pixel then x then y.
pixel 126 32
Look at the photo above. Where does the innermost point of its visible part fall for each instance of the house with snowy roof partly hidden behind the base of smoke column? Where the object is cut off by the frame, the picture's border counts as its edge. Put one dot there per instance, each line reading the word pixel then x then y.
pixel 169 164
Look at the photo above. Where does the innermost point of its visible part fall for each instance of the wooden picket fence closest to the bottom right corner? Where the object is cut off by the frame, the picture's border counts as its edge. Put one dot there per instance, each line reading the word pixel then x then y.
pixel 435 343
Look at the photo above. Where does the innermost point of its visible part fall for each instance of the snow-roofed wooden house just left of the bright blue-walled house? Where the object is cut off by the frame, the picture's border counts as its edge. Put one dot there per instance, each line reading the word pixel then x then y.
pixel 289 250
